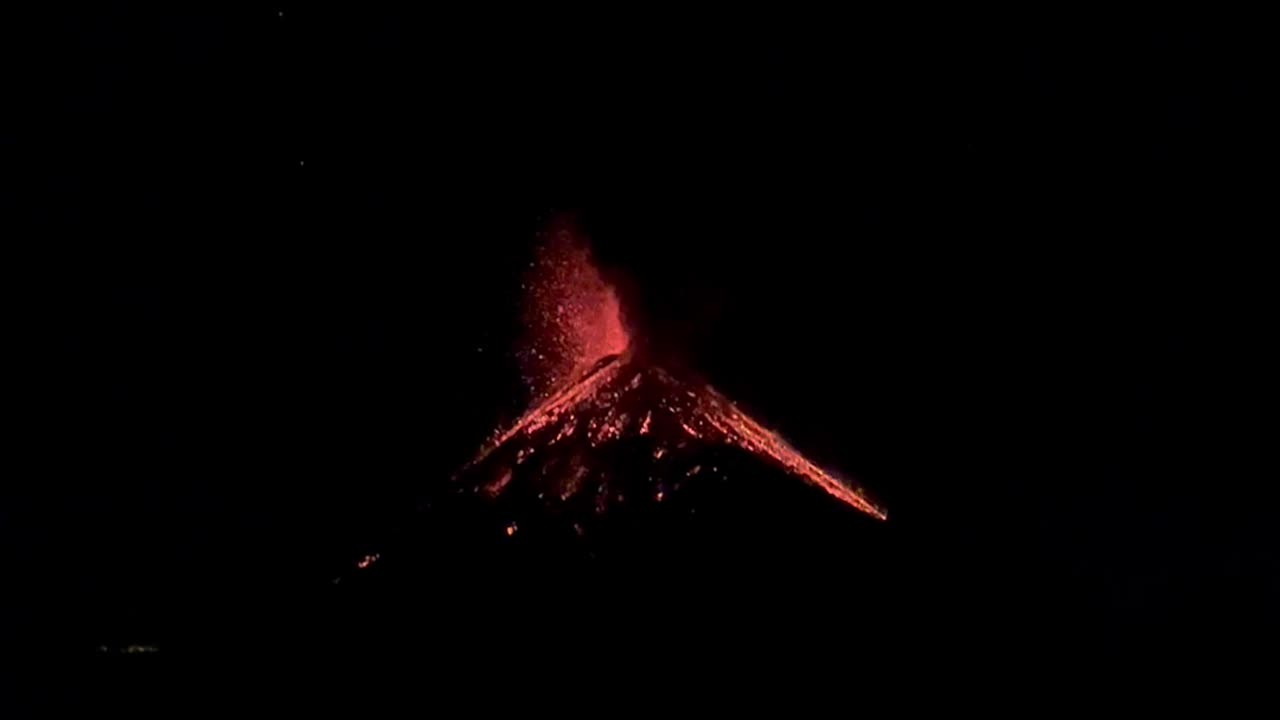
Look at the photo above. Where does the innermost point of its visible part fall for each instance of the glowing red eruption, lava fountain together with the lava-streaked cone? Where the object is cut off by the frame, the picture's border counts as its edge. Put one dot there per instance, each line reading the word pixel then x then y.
pixel 602 411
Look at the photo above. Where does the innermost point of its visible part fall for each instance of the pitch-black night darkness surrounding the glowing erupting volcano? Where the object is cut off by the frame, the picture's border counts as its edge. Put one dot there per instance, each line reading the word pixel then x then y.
pixel 271 266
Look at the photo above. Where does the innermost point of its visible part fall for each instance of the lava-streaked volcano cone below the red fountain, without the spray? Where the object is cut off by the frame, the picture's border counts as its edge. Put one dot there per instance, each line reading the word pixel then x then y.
pixel 628 429
